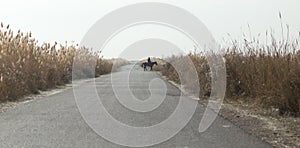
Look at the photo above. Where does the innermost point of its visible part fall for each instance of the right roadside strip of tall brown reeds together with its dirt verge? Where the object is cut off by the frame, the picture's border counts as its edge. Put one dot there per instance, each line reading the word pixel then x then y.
pixel 262 89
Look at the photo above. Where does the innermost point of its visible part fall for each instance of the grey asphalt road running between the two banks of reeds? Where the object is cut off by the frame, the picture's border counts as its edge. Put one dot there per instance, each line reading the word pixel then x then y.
pixel 55 121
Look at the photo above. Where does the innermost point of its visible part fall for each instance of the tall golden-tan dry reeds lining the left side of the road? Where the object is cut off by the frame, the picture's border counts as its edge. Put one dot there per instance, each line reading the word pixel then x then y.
pixel 27 67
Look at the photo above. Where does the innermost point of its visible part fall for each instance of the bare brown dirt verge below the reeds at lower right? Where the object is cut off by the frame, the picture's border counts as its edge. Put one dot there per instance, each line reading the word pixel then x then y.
pixel 276 130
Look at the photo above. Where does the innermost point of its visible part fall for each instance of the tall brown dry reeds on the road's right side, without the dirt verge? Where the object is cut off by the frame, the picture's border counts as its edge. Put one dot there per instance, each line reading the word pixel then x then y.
pixel 266 76
